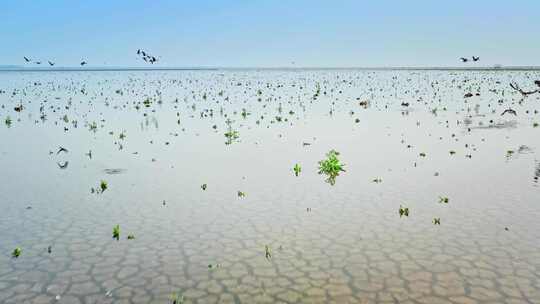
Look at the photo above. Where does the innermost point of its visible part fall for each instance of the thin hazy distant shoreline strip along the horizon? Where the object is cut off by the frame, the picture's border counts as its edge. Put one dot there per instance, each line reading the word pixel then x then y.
pixel 148 69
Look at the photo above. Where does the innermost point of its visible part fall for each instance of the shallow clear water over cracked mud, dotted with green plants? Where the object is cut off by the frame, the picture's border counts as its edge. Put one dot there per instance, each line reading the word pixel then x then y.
pixel 351 247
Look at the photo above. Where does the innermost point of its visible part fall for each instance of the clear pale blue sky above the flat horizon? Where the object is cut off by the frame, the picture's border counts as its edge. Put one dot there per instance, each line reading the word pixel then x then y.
pixel 285 33
